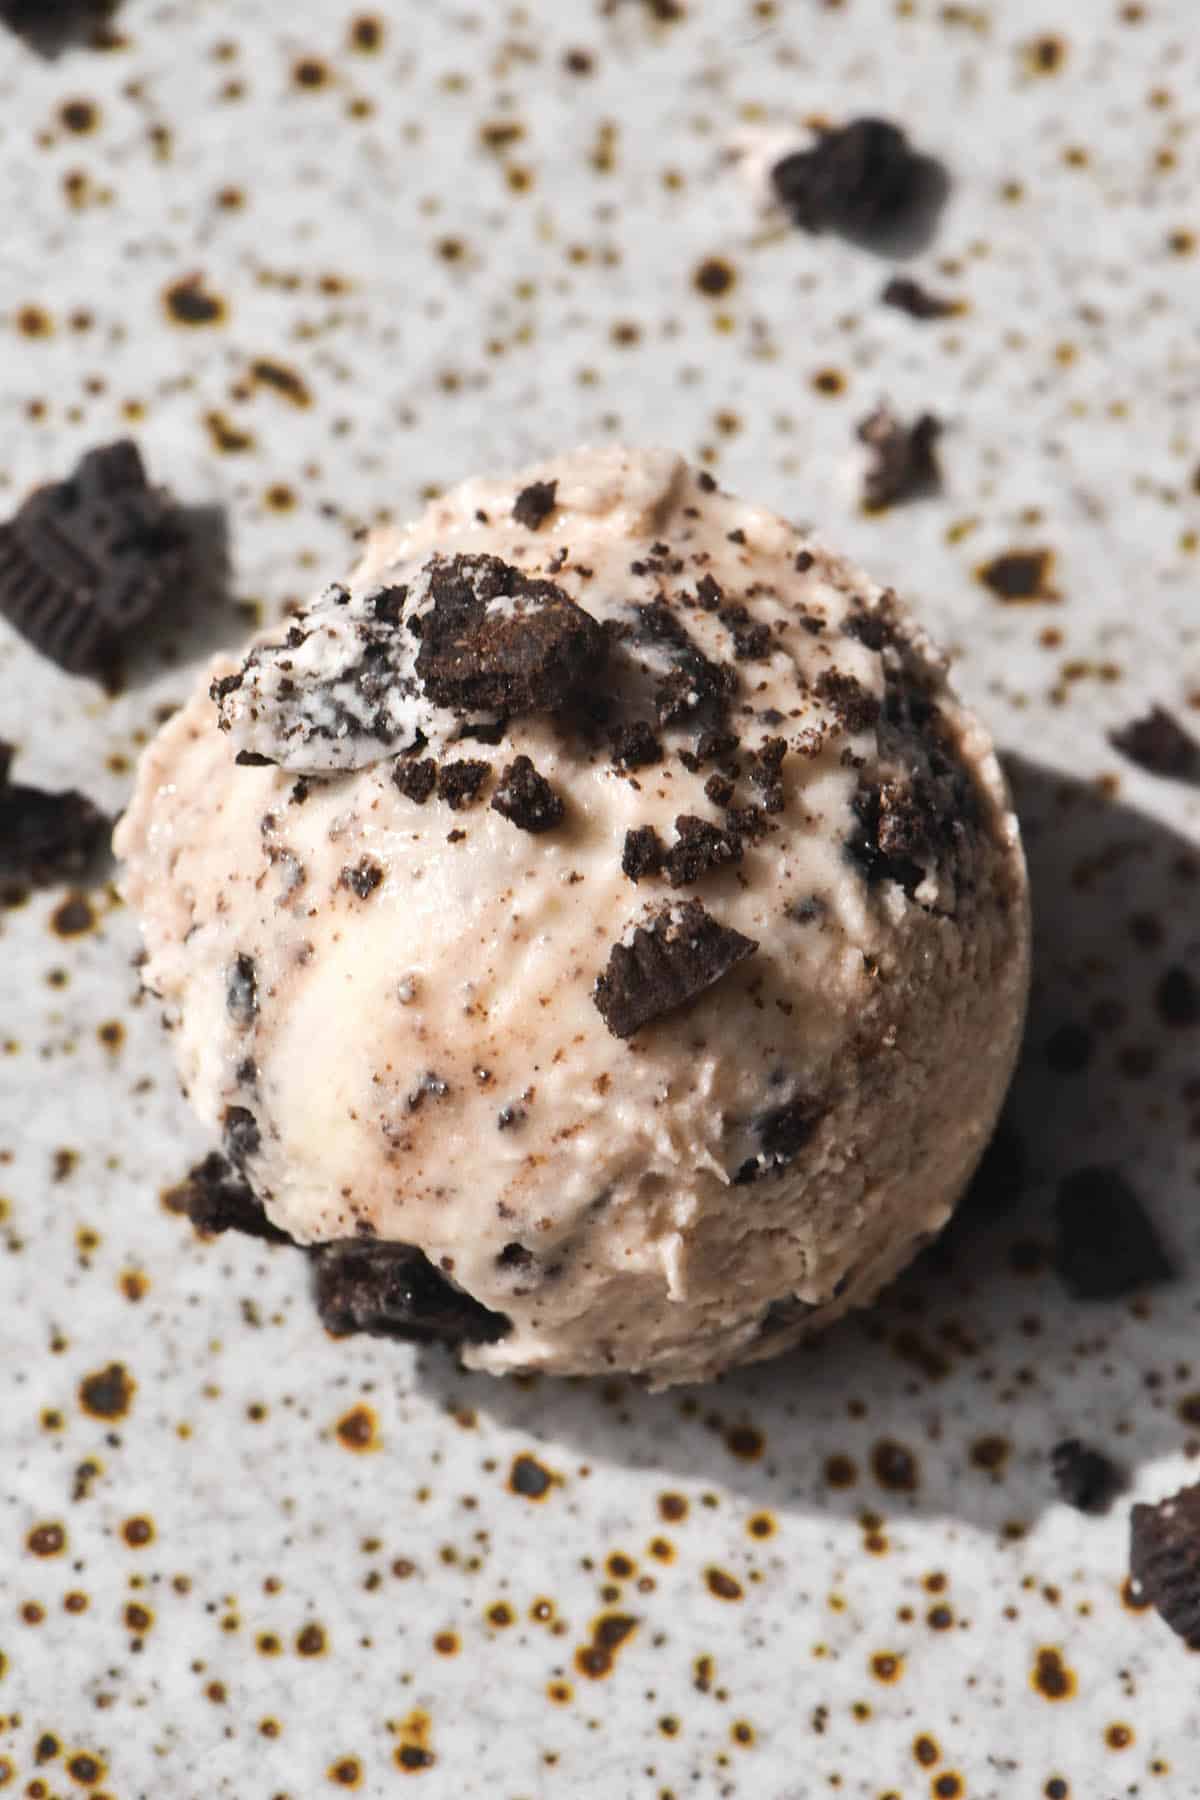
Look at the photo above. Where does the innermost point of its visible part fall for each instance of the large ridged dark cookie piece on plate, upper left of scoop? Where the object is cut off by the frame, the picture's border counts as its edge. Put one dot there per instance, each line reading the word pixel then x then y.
pixel 89 561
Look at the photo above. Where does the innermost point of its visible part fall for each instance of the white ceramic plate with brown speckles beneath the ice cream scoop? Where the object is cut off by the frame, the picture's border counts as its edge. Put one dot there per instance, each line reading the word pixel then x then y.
pixel 323 264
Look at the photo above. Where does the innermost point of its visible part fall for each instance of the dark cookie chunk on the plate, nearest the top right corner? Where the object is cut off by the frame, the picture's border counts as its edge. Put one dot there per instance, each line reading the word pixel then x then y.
pixel 857 179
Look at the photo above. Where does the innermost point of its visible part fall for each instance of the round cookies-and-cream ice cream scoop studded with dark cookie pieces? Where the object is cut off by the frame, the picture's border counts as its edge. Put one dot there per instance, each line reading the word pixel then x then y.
pixel 596 922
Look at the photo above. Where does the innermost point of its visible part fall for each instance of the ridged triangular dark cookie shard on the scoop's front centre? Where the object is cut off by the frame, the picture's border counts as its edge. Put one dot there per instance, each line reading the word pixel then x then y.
pixel 674 960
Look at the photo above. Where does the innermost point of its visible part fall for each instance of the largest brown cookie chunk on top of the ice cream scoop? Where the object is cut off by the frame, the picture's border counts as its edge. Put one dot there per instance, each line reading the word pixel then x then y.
pixel 496 640
